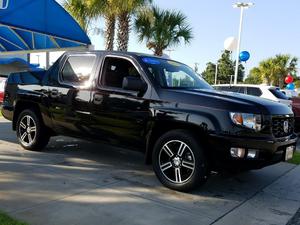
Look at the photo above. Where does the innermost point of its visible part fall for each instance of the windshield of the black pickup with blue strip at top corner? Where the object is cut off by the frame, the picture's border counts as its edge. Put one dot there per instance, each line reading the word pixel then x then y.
pixel 171 74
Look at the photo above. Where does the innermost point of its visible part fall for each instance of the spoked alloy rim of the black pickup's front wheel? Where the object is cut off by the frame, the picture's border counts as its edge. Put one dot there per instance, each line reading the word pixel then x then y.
pixel 177 161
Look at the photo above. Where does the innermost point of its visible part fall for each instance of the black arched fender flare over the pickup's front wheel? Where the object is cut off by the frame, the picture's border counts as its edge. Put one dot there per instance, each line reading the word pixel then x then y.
pixel 163 127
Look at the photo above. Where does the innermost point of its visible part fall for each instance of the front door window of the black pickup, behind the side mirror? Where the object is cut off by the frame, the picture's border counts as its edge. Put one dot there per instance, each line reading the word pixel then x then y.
pixel 115 70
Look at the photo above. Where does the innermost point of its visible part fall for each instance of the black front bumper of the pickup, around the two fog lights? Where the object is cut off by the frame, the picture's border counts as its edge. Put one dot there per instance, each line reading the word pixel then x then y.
pixel 270 151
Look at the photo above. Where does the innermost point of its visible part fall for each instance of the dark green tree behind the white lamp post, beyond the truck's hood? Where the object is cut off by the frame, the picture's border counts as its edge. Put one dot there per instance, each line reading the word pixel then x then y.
pixel 225 70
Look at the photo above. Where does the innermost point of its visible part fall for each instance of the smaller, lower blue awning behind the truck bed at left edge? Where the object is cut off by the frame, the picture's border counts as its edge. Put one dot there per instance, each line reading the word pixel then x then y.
pixel 9 65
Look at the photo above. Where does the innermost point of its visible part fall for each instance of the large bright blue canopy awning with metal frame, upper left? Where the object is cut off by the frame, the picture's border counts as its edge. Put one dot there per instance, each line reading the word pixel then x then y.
pixel 38 25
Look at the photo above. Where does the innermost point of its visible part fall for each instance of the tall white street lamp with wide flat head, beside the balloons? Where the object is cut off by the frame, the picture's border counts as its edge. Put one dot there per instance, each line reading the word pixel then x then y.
pixel 242 6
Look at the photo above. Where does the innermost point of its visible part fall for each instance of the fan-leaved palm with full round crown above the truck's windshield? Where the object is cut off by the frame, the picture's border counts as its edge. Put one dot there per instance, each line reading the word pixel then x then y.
pixel 162 29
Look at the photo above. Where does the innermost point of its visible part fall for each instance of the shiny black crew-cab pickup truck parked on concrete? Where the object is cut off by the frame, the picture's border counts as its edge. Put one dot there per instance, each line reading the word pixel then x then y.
pixel 155 105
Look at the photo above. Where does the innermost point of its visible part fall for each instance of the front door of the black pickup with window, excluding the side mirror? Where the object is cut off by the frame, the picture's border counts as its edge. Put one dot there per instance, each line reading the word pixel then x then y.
pixel 119 116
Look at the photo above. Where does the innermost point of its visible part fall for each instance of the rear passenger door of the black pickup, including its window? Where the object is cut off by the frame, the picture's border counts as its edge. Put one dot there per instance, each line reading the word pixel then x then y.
pixel 69 93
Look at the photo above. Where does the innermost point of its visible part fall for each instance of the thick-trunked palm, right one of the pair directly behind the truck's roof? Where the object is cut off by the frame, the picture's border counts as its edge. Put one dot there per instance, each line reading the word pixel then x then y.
pixel 126 9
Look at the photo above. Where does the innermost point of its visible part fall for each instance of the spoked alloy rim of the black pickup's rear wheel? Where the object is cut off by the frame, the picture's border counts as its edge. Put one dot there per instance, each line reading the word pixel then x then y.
pixel 27 130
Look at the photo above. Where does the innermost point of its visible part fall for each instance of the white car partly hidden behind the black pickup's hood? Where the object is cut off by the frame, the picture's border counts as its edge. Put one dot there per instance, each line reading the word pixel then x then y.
pixel 263 91
